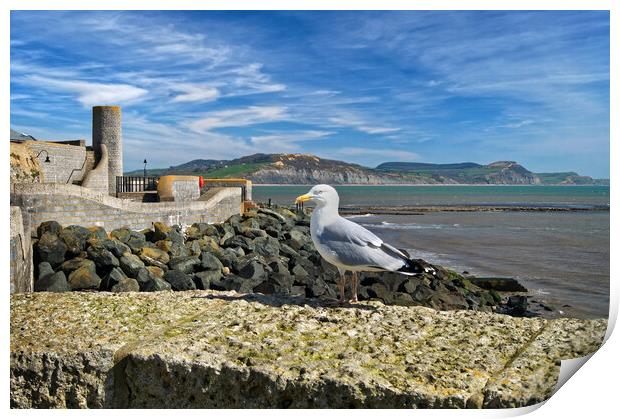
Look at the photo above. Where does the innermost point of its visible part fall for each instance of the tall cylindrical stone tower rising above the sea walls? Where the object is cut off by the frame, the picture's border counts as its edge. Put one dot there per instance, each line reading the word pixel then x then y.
pixel 107 130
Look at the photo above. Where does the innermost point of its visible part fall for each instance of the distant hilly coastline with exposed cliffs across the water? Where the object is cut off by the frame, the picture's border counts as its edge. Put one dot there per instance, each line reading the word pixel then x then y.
pixel 310 169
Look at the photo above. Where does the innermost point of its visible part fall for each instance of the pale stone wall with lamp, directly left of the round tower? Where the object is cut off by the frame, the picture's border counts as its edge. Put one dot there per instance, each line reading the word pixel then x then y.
pixel 68 163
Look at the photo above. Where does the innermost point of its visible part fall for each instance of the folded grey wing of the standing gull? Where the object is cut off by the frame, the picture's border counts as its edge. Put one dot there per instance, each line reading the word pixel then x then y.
pixel 354 245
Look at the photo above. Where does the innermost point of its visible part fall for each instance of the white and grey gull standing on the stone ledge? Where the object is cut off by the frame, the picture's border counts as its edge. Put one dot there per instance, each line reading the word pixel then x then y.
pixel 348 245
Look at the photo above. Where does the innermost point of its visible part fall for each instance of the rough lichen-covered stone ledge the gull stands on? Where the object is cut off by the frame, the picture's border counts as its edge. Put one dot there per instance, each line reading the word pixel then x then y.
pixel 222 349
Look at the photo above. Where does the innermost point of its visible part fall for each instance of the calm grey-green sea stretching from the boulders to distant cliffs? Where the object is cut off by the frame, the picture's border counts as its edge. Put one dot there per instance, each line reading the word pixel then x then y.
pixel 561 257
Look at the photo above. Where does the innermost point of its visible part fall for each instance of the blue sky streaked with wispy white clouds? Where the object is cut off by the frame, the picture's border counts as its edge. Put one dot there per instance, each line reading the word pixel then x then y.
pixel 365 87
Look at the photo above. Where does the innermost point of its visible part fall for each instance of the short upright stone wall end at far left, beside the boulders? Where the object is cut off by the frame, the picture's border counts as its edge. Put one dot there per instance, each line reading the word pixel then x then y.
pixel 21 253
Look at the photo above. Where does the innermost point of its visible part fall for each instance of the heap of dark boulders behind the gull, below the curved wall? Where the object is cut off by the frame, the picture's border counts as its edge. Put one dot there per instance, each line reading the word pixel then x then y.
pixel 264 251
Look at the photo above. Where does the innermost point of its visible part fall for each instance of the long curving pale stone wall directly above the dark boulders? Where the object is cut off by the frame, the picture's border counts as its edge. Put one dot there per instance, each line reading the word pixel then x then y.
pixel 71 204
